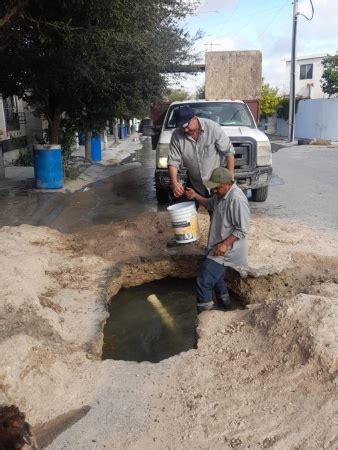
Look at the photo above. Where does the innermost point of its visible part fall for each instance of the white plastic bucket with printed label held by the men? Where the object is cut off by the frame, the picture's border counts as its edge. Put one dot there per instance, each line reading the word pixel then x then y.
pixel 184 221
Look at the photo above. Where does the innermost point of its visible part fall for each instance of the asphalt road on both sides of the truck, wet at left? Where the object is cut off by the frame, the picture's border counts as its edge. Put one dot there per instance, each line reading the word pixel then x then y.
pixel 304 187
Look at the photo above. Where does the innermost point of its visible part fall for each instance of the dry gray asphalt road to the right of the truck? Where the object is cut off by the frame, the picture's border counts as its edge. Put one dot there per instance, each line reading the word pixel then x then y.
pixel 304 186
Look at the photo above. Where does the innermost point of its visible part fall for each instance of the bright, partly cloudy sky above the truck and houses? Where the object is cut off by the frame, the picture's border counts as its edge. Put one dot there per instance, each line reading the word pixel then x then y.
pixel 264 25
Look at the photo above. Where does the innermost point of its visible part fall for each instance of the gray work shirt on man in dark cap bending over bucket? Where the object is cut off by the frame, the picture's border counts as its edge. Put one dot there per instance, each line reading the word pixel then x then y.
pixel 203 156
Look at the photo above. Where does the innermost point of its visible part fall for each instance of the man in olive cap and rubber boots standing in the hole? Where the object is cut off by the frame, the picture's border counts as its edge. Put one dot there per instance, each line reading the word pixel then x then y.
pixel 228 237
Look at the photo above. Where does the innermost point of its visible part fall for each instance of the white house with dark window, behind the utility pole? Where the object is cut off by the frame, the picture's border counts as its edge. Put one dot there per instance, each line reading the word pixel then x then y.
pixel 309 71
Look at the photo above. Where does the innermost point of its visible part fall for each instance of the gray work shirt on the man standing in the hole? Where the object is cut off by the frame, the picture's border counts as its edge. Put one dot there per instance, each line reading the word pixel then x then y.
pixel 231 216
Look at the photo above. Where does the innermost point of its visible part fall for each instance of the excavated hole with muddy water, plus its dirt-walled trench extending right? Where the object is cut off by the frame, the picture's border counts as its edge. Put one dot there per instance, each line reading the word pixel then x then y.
pixel 138 330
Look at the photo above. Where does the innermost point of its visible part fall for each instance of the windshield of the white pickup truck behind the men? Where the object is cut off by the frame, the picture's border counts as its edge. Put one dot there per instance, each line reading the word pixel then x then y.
pixel 224 113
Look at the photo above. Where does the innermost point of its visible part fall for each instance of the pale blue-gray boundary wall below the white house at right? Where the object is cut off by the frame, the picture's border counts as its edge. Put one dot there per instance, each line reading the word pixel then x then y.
pixel 315 119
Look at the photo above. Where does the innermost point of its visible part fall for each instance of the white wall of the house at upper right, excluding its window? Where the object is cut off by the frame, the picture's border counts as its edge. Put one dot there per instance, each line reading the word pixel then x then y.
pixel 302 87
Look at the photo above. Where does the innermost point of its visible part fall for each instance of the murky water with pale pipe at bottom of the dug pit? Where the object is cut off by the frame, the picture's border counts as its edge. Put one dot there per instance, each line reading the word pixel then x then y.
pixel 151 322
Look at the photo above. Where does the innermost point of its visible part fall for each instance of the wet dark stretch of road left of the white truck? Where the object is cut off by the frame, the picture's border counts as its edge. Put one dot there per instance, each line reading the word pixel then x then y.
pixel 116 198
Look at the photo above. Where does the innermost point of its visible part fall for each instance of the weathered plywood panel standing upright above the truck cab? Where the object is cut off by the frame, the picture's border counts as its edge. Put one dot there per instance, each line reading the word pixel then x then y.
pixel 236 75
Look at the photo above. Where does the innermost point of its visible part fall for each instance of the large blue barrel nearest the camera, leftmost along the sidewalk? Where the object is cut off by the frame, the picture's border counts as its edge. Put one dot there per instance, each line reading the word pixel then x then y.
pixel 48 168
